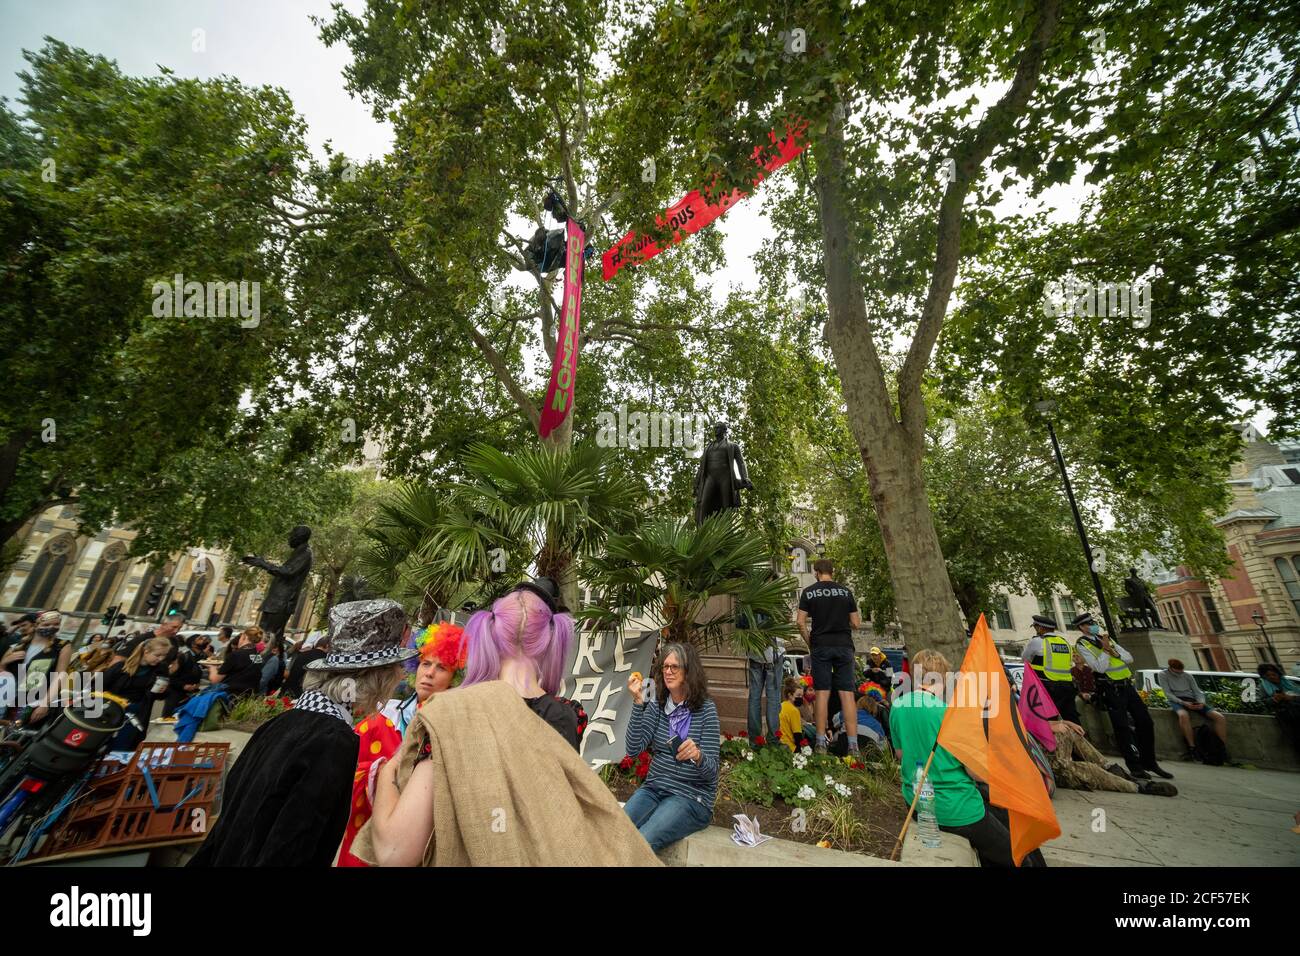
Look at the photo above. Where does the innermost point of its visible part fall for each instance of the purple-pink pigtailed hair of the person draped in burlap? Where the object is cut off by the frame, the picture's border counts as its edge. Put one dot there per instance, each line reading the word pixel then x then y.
pixel 519 624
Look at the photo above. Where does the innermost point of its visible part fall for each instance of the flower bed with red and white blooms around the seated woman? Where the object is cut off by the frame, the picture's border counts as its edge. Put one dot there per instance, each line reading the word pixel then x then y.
pixel 824 801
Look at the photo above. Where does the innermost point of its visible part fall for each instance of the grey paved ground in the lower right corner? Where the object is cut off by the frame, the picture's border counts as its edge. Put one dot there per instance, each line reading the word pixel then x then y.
pixel 1221 817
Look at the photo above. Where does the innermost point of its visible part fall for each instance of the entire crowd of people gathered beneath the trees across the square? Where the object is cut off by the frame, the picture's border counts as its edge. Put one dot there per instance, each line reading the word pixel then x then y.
pixel 359 775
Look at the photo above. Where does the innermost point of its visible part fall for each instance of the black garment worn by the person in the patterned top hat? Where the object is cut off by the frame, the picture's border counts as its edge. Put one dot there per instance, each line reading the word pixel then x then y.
pixel 287 799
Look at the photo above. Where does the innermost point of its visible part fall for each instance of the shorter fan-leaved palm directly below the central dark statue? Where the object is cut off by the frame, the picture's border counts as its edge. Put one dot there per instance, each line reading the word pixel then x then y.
pixel 673 570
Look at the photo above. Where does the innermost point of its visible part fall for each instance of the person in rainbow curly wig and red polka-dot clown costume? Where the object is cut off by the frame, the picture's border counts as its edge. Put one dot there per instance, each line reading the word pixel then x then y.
pixel 443 667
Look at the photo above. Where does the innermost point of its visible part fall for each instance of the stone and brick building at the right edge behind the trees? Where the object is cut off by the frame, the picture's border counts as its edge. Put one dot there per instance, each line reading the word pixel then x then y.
pixel 1251 616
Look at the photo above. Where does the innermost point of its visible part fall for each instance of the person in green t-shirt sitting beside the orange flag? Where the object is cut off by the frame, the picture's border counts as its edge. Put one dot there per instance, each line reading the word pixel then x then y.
pixel 960 807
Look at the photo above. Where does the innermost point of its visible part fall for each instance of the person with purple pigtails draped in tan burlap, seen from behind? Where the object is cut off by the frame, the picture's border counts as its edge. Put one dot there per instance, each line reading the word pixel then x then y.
pixel 480 781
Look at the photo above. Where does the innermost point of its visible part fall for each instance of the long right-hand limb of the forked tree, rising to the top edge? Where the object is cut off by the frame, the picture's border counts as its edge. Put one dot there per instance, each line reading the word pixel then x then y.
pixel 996 127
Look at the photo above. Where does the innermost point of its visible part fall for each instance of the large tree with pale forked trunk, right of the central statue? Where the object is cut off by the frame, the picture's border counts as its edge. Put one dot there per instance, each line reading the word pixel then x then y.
pixel 898 152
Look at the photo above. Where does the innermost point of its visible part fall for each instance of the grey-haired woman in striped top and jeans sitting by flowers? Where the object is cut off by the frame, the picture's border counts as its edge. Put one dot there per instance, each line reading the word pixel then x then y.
pixel 683 737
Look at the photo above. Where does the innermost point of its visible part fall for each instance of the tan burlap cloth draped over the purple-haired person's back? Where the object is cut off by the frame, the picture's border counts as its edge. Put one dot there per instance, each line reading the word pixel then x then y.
pixel 510 791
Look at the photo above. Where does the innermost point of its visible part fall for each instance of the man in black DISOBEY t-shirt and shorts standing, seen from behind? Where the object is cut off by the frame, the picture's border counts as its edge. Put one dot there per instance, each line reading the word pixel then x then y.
pixel 834 617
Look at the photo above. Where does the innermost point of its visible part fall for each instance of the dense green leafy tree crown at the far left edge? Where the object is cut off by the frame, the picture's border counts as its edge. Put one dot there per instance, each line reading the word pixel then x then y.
pixel 110 185
